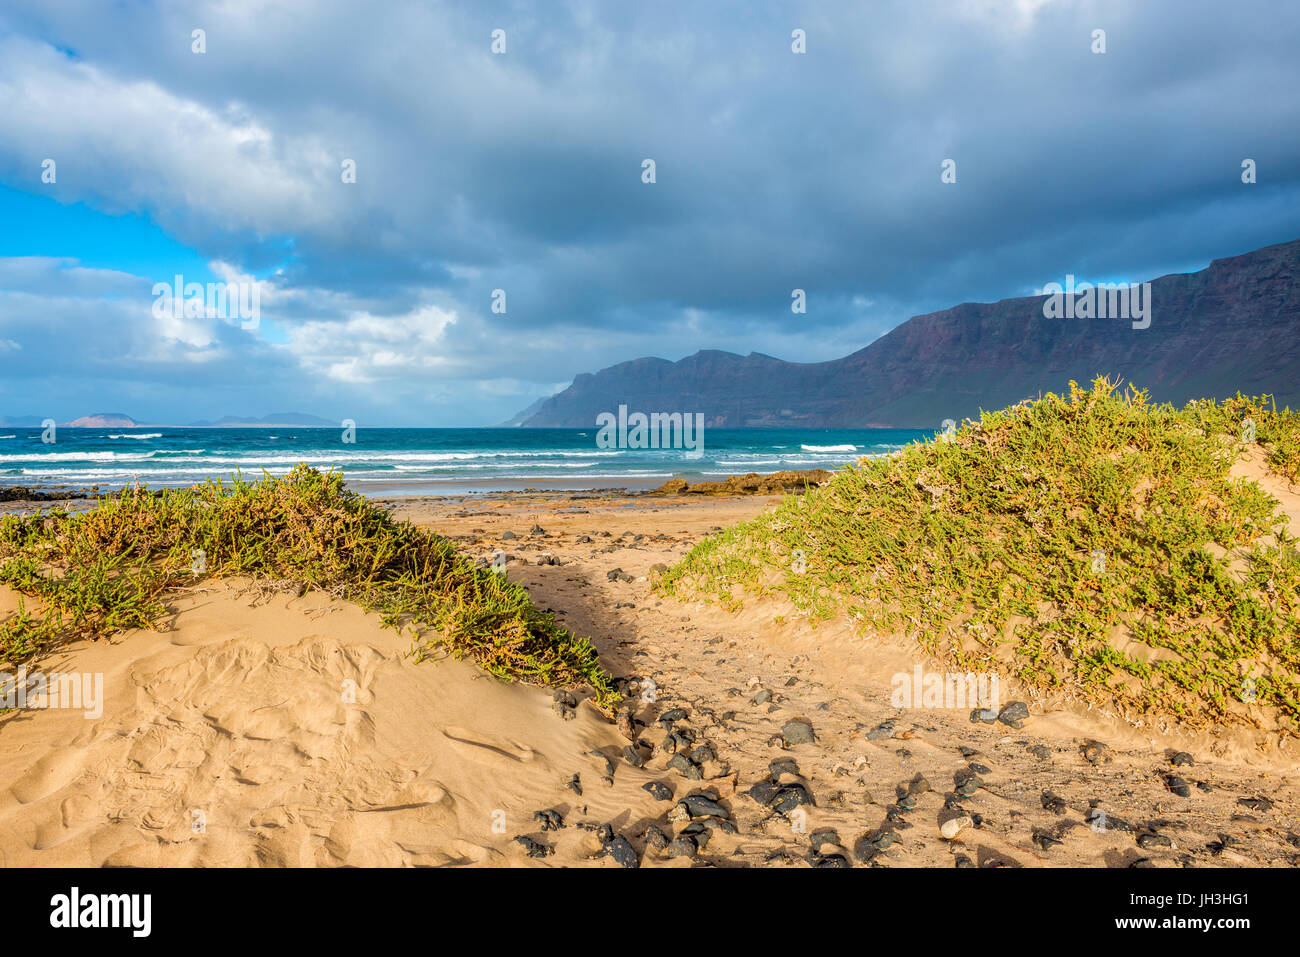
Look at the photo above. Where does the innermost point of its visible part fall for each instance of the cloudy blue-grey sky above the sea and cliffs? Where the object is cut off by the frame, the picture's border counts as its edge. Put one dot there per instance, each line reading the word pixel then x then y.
pixel 378 171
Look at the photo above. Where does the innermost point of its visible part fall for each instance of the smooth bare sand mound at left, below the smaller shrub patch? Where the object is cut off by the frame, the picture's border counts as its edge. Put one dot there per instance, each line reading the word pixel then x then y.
pixel 296 734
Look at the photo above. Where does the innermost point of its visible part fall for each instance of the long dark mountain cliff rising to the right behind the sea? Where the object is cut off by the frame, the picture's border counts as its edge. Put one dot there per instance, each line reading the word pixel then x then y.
pixel 1234 326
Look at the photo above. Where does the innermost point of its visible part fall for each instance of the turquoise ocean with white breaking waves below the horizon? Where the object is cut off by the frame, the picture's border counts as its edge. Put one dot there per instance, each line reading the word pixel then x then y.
pixel 417 462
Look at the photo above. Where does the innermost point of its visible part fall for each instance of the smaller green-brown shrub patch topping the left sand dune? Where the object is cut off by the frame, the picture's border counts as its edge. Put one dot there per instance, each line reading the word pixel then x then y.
pixel 115 568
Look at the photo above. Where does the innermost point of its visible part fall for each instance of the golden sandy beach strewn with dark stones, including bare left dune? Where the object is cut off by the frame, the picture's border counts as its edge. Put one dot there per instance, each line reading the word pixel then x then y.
pixel 268 729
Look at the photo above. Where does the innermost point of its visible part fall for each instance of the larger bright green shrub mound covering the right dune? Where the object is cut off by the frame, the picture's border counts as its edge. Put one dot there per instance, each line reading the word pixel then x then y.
pixel 1093 544
